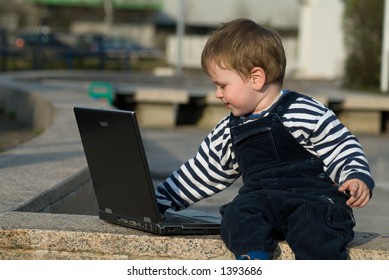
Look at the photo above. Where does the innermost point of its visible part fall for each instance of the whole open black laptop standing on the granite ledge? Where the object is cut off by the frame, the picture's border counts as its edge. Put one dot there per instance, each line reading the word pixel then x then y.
pixel 121 177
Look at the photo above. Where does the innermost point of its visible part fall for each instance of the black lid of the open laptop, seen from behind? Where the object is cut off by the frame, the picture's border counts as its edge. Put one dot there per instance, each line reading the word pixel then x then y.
pixel 117 163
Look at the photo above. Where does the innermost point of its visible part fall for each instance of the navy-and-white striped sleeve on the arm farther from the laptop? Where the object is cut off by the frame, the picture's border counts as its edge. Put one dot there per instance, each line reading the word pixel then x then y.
pixel 318 129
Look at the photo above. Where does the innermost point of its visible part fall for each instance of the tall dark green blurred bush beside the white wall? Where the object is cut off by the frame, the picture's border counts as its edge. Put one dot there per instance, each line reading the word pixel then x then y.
pixel 363 22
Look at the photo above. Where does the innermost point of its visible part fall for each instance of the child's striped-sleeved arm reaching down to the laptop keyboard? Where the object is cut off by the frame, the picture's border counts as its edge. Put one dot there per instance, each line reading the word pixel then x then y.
pixel 210 171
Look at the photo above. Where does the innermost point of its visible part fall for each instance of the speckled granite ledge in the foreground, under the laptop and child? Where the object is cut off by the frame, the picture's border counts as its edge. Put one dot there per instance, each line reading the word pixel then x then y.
pixel 58 236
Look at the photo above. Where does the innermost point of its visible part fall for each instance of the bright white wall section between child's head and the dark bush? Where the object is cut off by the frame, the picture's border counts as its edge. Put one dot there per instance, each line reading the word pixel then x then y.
pixel 321 51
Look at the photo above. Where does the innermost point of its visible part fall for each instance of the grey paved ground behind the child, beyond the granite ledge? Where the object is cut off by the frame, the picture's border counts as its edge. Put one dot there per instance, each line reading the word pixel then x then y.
pixel 167 149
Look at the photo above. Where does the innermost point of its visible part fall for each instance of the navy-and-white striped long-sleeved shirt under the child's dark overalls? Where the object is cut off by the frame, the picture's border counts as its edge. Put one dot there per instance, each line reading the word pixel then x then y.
pixel 214 167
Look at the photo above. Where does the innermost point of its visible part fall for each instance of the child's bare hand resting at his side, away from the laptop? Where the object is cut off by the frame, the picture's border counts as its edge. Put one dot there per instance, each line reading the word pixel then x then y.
pixel 359 192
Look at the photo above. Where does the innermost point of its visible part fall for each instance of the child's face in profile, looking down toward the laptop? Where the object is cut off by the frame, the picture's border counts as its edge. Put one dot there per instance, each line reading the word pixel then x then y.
pixel 236 93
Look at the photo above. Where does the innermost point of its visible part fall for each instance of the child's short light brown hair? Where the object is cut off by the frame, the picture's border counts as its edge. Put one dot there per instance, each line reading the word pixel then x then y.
pixel 241 45
